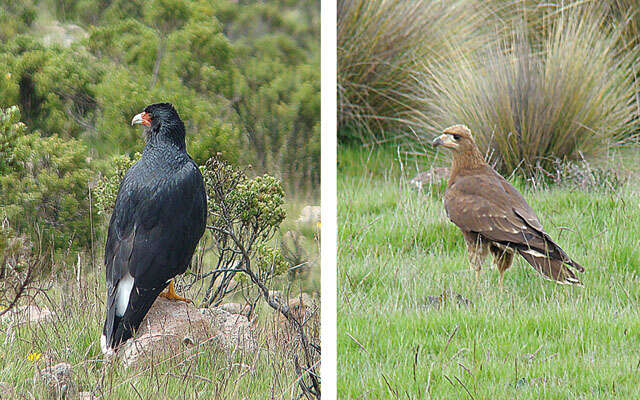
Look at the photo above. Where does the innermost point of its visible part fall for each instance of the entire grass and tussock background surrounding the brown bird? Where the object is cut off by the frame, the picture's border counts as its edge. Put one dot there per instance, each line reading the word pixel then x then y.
pixel 550 91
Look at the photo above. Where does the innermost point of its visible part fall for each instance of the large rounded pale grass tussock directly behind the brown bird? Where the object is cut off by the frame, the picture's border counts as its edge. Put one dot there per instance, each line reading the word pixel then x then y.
pixel 528 104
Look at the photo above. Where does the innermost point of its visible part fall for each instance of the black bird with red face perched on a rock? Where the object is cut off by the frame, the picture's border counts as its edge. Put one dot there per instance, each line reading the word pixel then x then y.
pixel 158 219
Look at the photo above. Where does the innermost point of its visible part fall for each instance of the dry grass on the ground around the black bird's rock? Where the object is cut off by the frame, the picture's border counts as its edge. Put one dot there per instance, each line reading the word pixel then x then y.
pixel 200 372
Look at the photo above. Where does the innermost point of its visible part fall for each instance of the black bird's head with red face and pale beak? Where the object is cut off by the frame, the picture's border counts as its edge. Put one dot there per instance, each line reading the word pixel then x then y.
pixel 161 119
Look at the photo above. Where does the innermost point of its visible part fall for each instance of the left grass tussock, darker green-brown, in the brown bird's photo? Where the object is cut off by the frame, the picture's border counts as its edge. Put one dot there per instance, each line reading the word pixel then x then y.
pixel 380 44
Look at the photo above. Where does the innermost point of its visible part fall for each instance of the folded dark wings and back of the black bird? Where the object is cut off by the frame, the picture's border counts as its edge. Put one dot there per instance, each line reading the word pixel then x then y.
pixel 164 233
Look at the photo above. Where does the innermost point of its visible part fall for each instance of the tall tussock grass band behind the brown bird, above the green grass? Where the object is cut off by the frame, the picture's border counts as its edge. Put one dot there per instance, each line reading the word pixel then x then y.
pixel 535 81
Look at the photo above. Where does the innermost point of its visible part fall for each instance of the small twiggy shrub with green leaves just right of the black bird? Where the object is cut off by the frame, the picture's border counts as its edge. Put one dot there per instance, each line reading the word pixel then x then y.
pixel 244 214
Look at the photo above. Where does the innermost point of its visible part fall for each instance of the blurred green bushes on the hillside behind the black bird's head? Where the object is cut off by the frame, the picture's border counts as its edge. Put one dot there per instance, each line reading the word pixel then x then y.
pixel 242 75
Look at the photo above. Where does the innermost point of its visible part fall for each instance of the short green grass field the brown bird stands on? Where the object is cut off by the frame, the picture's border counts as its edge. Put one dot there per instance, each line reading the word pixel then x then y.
pixel 532 340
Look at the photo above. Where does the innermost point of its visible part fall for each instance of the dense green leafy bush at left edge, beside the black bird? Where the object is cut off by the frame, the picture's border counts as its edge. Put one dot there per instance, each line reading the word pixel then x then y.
pixel 43 185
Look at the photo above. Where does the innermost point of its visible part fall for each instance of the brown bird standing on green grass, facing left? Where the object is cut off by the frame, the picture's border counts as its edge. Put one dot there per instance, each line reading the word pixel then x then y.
pixel 494 217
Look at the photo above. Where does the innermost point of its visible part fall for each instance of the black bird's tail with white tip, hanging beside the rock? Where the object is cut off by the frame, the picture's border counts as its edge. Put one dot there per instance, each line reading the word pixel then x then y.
pixel 117 329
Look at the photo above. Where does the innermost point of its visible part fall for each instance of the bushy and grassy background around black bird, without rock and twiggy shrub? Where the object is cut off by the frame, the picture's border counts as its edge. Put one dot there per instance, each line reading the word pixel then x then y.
pixel 244 77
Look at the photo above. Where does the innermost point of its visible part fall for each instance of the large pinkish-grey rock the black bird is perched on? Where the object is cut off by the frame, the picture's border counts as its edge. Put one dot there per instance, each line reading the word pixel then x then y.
pixel 173 327
